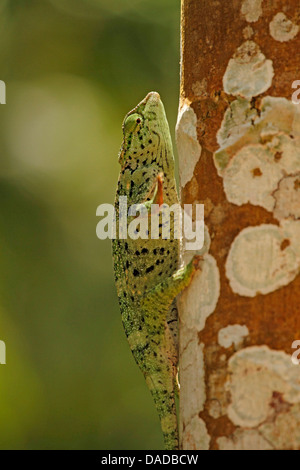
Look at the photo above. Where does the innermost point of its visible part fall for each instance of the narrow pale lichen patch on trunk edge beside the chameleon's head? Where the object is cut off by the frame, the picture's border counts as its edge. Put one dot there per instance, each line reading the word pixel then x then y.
pixel 189 149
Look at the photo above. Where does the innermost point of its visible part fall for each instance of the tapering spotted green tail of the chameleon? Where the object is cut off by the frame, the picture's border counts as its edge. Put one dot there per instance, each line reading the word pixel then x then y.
pixel 164 400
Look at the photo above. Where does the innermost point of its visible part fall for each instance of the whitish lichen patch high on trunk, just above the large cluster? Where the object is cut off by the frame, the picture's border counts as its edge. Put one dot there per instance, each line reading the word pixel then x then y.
pixel 248 73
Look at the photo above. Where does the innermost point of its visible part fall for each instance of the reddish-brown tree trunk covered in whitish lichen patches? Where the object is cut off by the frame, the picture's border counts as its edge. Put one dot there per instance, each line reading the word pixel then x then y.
pixel 238 138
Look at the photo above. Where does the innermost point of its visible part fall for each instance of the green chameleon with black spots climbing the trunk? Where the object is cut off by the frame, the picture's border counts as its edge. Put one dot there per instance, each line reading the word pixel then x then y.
pixel 146 270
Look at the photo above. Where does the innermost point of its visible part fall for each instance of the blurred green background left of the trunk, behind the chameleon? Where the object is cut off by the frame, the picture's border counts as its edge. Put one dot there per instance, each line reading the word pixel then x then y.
pixel 73 68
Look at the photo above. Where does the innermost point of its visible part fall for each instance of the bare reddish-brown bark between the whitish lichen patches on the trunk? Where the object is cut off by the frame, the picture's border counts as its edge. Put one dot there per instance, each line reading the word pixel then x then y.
pixel 212 31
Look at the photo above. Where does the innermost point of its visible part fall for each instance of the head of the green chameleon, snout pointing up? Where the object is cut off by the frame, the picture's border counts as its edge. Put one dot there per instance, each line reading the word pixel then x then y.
pixel 145 130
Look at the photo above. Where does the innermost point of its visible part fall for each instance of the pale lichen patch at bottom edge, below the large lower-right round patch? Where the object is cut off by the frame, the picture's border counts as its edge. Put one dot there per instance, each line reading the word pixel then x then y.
pixel 244 439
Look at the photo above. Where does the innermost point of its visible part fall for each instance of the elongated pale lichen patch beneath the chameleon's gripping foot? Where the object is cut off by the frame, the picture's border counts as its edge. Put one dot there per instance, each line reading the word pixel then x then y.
pixel 201 298
